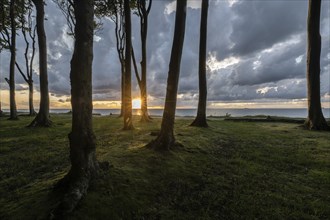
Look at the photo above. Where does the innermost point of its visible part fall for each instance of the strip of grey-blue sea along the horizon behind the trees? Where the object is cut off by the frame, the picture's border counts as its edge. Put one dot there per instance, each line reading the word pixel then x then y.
pixel 289 112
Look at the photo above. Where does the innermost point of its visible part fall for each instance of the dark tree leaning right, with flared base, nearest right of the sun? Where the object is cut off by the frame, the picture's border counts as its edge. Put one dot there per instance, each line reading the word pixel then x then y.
pixel 166 139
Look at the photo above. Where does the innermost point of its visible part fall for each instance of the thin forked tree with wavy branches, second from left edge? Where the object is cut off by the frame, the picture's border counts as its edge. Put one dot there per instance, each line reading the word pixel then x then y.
pixel 30 29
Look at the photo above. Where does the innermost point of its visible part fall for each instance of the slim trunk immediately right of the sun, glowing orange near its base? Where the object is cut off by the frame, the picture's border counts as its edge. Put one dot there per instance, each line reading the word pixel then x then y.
pixel 144 32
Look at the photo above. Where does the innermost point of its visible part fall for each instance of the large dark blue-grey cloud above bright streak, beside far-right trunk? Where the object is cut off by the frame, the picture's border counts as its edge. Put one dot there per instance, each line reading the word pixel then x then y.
pixel 261 24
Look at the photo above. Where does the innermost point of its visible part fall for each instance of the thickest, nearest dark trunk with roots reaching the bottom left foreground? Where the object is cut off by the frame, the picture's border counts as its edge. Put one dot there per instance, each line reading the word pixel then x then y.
pixel 84 166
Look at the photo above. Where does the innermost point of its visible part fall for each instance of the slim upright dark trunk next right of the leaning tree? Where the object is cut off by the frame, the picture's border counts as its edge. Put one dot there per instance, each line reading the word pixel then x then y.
pixel 200 120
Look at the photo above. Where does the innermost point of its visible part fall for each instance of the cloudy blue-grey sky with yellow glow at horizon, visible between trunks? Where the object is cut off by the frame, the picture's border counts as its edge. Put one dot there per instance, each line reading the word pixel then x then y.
pixel 256 57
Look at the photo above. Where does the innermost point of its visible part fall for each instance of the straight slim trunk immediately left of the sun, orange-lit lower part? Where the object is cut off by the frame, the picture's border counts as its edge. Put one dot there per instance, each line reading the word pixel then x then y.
pixel 128 123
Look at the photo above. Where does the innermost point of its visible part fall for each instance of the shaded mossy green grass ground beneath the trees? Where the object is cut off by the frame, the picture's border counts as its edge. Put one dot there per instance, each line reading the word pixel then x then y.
pixel 231 170
